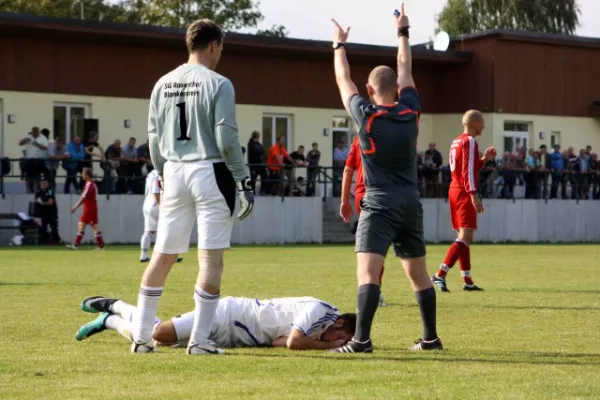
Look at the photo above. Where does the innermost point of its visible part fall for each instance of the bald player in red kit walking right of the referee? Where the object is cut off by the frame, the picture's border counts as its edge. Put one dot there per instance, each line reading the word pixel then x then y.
pixel 463 198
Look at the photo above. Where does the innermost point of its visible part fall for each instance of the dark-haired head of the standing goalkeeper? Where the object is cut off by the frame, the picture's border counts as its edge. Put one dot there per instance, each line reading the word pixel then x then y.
pixel 204 41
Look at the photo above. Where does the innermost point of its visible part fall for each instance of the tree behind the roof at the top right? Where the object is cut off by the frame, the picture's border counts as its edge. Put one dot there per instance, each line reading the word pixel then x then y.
pixel 545 16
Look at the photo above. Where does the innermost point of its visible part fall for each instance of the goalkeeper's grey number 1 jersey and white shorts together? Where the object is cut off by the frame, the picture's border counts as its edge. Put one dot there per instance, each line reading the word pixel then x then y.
pixel 195 147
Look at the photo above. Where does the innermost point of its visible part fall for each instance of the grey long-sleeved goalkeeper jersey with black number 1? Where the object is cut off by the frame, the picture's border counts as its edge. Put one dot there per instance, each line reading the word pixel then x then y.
pixel 192 118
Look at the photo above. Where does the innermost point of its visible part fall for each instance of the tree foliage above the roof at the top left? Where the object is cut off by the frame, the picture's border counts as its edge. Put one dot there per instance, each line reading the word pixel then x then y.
pixel 229 14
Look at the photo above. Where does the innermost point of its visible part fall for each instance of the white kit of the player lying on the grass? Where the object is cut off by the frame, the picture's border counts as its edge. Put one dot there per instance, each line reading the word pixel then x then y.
pixel 244 322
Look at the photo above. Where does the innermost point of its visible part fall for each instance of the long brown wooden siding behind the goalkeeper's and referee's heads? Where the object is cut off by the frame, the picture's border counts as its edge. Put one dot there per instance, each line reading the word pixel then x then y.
pixel 128 70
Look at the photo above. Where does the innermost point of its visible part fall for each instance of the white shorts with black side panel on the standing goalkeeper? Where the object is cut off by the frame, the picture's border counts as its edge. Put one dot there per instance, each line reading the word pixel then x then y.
pixel 203 191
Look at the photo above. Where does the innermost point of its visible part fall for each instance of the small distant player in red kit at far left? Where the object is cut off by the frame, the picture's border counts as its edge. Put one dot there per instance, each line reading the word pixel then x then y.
pixel 89 216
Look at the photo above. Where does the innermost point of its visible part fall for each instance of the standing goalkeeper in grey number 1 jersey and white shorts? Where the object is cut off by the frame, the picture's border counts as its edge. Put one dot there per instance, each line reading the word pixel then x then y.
pixel 195 148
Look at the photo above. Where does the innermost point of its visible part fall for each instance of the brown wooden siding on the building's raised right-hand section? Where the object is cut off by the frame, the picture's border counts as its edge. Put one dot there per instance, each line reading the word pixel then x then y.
pixel 546 79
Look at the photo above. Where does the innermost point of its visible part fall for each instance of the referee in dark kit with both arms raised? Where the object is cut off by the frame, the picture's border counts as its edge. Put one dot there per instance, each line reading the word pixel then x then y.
pixel 391 208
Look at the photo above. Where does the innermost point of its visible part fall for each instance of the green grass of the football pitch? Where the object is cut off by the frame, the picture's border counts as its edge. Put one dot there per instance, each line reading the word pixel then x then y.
pixel 532 334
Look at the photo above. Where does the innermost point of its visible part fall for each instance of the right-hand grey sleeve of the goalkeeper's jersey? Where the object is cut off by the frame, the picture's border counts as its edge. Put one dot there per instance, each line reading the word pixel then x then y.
pixel 226 131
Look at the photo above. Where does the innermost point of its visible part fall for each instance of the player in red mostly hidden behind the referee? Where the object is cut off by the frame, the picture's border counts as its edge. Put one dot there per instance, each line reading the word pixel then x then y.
pixel 354 163
